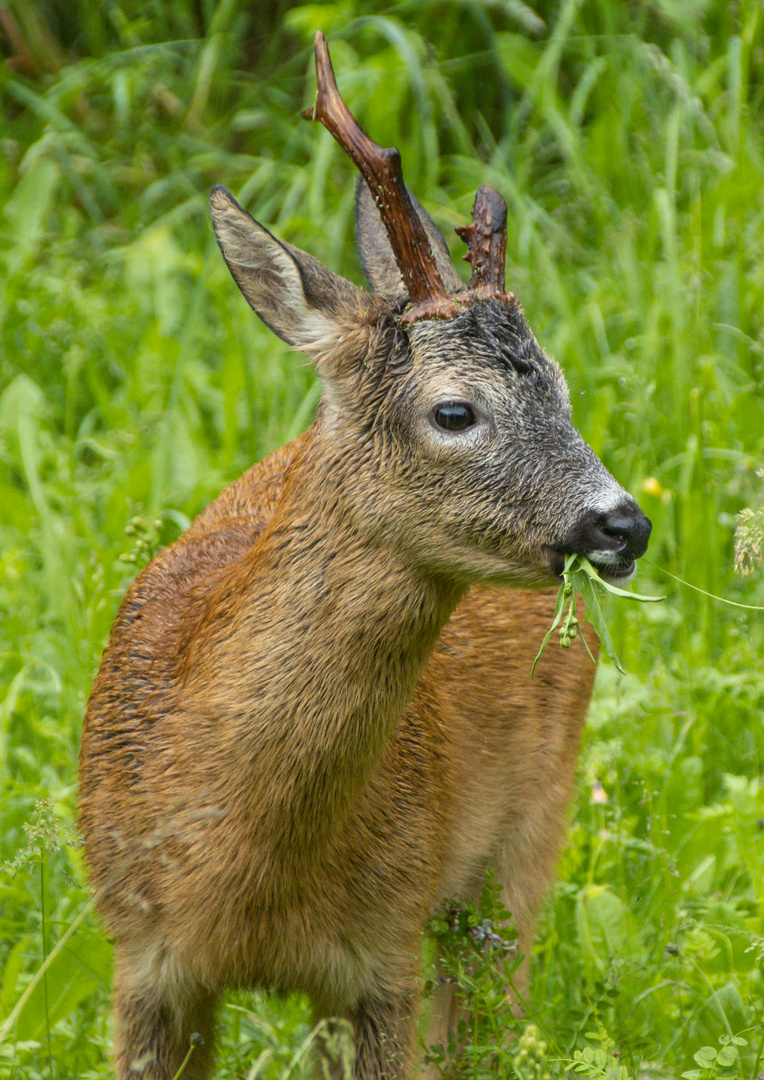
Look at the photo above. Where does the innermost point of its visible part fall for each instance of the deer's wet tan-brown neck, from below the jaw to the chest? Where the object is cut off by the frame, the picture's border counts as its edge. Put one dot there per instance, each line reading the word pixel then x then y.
pixel 327 633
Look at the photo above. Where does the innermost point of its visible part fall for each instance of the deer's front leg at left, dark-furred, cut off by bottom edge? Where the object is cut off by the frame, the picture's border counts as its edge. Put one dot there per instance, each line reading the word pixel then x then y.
pixel 157 1027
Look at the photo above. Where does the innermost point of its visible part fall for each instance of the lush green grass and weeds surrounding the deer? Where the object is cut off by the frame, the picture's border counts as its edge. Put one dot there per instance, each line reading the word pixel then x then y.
pixel 629 142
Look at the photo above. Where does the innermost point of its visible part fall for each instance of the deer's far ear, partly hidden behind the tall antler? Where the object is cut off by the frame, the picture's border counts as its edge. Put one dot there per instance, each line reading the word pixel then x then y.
pixel 377 255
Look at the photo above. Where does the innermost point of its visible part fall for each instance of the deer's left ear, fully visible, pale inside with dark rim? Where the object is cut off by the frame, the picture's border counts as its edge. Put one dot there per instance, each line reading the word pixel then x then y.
pixel 294 294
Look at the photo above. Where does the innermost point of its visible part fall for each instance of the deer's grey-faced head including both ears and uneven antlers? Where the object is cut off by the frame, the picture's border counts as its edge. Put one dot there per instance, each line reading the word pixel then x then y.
pixel 445 429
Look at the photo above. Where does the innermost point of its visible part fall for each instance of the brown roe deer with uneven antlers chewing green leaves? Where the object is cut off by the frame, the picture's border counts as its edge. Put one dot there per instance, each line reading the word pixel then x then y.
pixel 314 724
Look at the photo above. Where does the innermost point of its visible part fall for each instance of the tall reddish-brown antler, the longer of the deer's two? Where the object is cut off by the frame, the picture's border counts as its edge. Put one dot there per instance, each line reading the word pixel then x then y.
pixel 383 173
